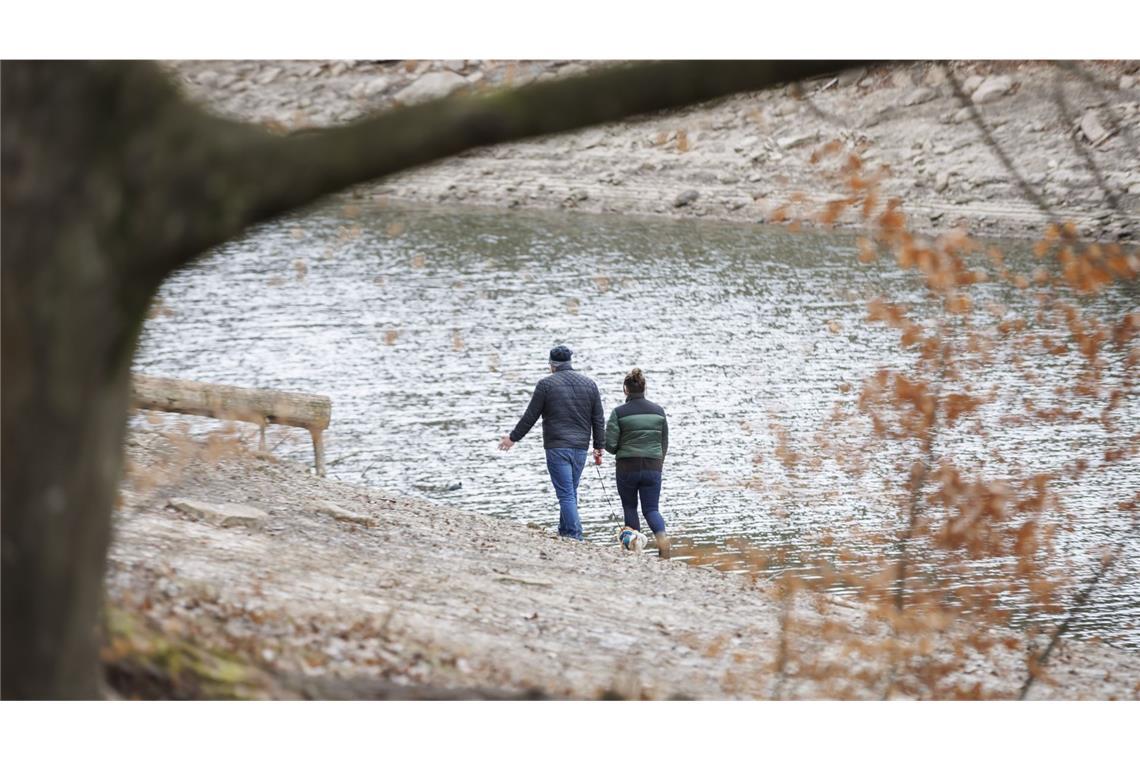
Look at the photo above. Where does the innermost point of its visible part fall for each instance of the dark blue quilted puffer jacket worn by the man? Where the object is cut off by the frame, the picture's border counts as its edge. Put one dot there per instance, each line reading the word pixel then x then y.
pixel 572 410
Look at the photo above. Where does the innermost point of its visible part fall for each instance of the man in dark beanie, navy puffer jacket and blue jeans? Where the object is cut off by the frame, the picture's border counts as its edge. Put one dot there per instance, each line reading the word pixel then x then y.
pixel 572 411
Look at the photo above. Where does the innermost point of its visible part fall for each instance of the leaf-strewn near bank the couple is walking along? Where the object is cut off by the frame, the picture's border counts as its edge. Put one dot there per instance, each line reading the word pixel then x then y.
pixel 329 581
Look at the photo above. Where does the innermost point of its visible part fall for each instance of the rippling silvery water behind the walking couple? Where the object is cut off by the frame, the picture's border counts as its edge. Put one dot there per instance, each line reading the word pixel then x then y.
pixel 429 330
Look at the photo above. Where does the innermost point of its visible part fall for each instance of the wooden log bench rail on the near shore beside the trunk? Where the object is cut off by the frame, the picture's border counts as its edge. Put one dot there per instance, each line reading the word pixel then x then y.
pixel 258 406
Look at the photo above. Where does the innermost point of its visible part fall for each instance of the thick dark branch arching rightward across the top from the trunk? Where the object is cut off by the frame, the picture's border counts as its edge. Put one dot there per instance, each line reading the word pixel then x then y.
pixel 270 176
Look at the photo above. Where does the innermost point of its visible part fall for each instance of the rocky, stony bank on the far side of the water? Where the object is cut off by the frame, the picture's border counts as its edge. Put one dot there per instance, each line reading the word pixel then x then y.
pixel 997 148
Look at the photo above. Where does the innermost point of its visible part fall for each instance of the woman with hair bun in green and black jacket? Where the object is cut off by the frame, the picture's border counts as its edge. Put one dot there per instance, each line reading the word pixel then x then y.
pixel 638 435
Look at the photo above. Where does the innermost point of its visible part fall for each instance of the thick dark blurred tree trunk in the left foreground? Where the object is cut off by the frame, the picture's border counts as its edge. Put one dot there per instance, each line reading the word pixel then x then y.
pixel 70 324
